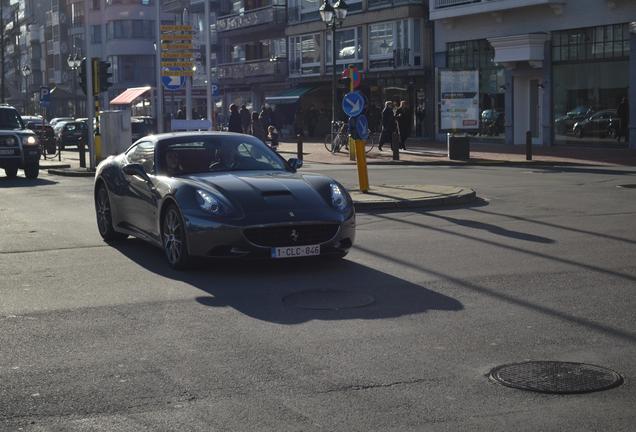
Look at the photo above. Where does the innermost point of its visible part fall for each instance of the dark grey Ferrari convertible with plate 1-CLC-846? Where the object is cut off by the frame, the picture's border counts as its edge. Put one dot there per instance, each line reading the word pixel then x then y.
pixel 220 195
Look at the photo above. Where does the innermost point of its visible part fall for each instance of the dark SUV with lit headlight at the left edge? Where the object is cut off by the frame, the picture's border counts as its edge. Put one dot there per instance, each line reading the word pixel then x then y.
pixel 19 146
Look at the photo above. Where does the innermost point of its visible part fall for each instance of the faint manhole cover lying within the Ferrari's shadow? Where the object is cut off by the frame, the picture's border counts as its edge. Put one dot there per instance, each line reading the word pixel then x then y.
pixel 328 300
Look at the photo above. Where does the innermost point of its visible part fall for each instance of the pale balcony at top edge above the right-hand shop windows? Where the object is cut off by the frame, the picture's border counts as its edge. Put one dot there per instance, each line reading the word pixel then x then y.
pixel 445 9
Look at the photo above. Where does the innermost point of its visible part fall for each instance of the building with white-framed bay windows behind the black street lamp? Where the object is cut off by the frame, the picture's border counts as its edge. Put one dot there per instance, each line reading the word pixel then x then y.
pixel 390 40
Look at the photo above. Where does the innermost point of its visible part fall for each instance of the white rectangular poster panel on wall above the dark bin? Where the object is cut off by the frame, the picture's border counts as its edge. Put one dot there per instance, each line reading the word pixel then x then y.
pixel 459 100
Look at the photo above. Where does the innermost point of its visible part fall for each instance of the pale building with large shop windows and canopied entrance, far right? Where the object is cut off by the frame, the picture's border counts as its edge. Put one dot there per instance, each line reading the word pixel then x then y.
pixel 545 66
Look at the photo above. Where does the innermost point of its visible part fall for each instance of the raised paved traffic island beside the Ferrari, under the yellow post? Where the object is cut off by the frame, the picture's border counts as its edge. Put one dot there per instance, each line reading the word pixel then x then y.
pixel 411 196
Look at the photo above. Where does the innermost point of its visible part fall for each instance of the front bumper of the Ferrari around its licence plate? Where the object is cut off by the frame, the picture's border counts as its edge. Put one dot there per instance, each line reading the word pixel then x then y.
pixel 216 240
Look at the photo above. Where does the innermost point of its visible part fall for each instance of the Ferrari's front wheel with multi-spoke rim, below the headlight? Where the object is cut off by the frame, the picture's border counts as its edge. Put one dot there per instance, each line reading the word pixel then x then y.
pixel 173 239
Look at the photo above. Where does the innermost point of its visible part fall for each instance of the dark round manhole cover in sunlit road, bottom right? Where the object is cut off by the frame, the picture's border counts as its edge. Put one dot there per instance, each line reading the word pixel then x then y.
pixel 556 377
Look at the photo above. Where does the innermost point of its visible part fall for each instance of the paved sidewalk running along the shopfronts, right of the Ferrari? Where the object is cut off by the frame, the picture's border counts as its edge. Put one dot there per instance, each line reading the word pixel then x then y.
pixel 435 153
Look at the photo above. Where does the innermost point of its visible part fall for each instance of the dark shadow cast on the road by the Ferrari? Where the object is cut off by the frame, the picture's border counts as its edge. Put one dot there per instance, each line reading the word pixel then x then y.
pixel 260 288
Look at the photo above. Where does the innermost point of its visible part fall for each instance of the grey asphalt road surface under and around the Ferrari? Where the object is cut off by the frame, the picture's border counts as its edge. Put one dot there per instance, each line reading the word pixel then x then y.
pixel 107 338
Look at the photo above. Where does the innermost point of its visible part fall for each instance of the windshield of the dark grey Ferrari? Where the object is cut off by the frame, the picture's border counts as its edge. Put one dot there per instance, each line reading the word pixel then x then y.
pixel 216 153
